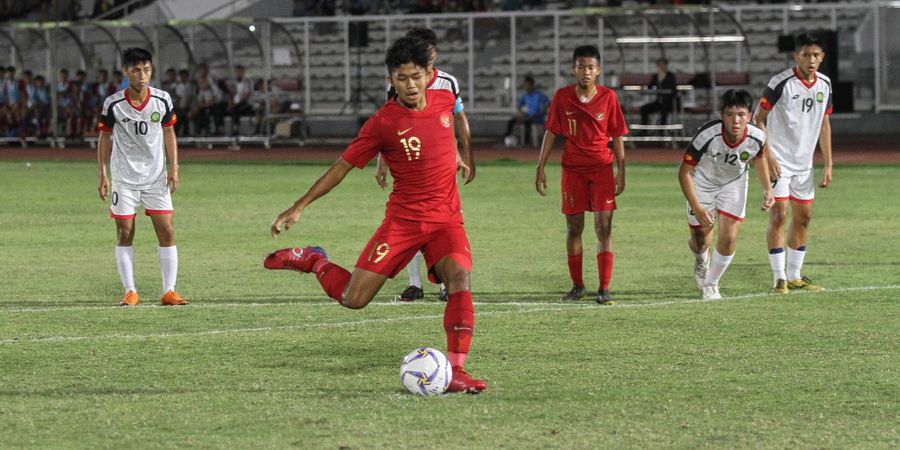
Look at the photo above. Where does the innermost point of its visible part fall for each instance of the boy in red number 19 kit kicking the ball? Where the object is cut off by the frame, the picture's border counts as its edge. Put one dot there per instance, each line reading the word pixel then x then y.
pixel 414 134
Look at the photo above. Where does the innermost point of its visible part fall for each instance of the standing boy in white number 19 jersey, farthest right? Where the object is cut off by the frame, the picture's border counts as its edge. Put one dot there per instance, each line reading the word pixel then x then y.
pixel 794 112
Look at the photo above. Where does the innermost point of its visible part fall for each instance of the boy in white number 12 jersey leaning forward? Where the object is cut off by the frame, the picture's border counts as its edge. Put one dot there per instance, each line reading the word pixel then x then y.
pixel 714 179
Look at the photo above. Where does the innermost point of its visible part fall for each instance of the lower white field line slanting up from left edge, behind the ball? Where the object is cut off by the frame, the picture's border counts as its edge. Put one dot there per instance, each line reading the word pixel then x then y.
pixel 529 308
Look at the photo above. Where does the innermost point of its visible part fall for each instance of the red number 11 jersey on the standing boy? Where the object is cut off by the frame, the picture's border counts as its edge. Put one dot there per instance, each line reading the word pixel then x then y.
pixel 587 127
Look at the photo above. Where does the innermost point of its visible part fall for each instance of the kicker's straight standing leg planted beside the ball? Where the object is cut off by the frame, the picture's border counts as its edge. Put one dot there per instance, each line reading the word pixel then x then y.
pixel 449 246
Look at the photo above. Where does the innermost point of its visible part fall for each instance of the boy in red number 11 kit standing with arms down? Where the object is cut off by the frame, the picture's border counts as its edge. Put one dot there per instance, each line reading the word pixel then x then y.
pixel 588 116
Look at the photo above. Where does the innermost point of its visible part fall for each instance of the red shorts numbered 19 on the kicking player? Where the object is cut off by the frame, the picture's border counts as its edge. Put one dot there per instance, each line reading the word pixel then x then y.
pixel 396 241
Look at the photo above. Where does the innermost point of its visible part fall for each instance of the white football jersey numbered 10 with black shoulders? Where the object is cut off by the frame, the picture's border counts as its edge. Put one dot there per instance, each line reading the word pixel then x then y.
pixel 138 159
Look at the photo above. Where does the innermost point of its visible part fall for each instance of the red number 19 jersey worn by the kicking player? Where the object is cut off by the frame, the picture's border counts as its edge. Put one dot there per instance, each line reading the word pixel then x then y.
pixel 420 150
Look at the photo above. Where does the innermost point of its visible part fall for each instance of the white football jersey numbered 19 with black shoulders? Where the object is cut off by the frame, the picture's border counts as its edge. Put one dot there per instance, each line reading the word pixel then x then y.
pixel 796 111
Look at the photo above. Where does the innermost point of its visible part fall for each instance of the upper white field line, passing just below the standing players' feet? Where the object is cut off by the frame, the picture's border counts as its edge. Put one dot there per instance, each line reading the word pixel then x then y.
pixel 628 303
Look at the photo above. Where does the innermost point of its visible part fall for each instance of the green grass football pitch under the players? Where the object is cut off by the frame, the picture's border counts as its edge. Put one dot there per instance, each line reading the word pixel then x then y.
pixel 264 360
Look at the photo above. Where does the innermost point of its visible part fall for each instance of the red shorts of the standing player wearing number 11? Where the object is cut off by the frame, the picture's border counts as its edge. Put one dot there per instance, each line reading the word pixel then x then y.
pixel 594 191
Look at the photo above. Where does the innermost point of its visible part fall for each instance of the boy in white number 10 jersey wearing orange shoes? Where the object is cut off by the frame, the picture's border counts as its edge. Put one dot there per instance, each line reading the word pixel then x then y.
pixel 136 126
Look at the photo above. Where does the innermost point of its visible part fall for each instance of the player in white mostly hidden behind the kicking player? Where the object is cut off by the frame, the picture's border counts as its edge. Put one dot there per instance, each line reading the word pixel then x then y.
pixel 437 79
